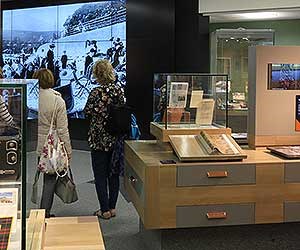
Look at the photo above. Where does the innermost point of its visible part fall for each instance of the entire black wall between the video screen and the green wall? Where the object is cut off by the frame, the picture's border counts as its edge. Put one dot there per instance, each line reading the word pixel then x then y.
pixel 162 36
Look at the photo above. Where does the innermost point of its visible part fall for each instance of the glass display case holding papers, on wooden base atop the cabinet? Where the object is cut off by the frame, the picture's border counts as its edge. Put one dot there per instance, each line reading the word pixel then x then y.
pixel 189 103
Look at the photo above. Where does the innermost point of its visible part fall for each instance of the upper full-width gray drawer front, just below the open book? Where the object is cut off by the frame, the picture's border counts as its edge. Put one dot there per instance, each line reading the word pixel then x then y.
pixel 197 175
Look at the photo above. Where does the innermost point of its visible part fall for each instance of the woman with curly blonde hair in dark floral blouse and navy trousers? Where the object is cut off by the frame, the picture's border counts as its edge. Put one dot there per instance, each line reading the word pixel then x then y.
pixel 100 140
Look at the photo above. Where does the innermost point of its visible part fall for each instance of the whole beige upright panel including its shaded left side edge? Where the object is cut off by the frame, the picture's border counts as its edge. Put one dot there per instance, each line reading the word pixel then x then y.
pixel 274 109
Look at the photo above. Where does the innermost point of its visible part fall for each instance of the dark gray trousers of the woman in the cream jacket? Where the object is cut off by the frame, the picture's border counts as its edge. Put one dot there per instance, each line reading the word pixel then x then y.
pixel 48 192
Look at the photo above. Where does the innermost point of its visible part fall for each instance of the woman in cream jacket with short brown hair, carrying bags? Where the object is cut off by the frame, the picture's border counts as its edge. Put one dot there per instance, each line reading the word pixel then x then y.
pixel 50 103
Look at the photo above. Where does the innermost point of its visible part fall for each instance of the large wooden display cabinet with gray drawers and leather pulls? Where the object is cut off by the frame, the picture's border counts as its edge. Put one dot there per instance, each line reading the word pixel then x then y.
pixel 260 189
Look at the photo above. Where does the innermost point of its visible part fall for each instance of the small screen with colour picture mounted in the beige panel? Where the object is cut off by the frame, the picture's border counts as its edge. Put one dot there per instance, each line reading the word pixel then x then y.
pixel 283 76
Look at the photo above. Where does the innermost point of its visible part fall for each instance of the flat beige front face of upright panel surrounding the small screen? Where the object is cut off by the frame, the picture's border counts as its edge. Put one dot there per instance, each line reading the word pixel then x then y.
pixel 275 109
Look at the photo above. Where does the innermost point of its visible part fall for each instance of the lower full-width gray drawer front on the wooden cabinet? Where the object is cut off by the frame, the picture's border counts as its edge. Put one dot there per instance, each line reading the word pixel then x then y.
pixel 196 216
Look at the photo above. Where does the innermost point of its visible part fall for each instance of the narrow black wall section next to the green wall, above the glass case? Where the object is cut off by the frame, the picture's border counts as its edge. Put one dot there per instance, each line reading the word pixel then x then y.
pixel 191 38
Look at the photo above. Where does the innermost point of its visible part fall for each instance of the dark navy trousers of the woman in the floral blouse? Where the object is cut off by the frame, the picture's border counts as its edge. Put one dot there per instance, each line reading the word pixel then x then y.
pixel 107 184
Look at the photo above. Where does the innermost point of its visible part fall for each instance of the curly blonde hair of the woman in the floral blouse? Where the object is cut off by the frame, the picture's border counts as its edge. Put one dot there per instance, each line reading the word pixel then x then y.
pixel 104 72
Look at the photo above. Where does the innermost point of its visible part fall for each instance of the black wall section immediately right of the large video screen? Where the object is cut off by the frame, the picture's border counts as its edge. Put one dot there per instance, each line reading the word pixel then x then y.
pixel 150 48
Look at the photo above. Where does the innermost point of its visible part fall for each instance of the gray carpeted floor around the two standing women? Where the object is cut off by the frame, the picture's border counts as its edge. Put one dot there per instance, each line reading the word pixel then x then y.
pixel 116 231
